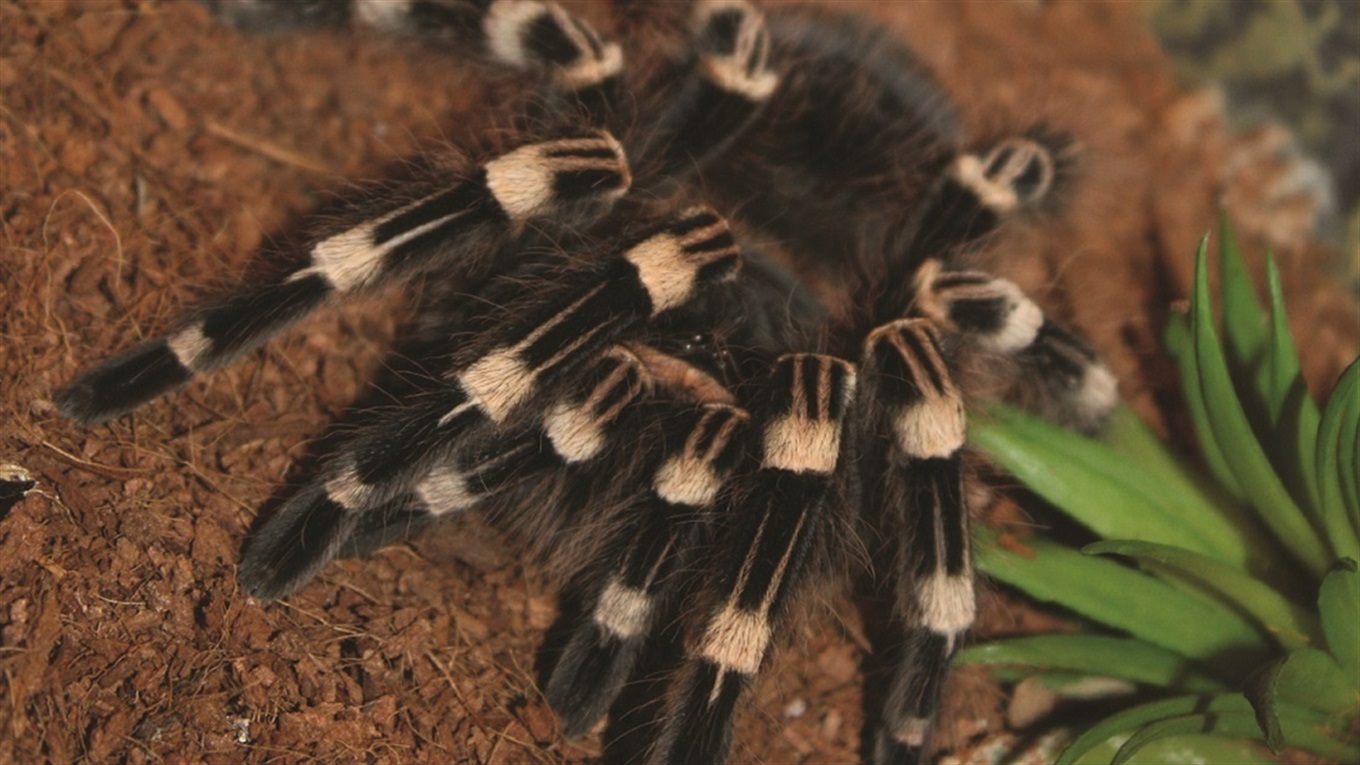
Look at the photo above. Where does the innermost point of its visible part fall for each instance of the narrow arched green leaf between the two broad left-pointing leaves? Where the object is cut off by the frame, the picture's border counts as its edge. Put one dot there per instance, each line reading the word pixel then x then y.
pixel 1291 625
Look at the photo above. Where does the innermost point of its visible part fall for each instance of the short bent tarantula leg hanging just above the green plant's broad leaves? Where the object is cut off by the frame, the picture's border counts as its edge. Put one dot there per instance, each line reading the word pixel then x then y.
pixel 1059 374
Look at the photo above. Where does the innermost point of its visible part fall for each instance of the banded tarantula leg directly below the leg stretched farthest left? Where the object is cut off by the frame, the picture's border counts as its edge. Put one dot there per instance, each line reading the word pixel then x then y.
pixel 539 346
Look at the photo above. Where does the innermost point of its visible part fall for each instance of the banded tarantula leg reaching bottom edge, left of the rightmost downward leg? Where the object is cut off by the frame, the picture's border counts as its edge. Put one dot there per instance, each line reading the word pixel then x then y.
pixel 775 521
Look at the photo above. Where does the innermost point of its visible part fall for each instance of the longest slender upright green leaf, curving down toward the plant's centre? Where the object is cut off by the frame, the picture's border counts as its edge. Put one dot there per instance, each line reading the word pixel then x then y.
pixel 1245 457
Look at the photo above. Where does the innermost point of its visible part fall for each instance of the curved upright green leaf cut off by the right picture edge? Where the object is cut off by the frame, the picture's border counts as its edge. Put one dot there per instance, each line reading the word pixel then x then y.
pixel 1336 455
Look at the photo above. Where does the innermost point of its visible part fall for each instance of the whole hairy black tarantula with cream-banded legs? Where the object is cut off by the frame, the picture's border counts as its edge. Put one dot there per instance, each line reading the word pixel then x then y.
pixel 701 336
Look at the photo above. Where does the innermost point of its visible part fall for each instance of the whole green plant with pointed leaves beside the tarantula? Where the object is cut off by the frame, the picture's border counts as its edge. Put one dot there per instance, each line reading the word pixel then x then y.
pixel 1241 619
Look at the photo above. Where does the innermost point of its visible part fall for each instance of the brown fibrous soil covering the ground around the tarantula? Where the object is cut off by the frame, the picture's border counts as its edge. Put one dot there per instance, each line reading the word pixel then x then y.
pixel 146 153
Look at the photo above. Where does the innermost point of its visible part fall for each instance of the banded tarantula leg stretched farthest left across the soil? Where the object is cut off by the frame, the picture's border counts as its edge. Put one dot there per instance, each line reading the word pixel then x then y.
pixel 572 180
